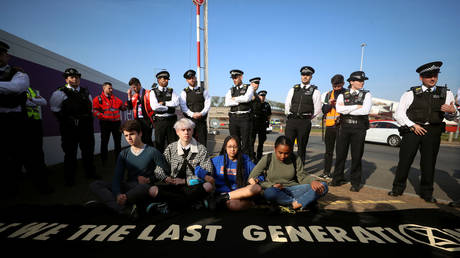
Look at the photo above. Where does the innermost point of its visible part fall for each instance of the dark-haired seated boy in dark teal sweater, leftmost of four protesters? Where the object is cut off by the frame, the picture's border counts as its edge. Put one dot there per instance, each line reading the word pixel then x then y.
pixel 139 161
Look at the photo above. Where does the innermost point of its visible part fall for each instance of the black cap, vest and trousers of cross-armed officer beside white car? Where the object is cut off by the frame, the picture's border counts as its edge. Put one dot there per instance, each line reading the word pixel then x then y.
pixel 351 133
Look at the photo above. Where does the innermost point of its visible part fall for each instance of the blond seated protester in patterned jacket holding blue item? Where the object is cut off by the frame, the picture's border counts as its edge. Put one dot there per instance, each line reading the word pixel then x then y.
pixel 183 188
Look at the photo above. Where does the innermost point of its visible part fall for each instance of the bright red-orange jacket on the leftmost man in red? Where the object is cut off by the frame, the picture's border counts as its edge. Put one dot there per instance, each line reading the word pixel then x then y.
pixel 105 108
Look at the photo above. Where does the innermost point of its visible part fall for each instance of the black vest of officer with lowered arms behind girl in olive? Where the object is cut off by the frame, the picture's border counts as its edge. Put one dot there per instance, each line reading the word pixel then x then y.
pixel 302 100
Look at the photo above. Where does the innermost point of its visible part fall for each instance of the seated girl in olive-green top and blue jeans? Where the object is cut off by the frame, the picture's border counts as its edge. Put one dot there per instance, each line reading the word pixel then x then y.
pixel 285 181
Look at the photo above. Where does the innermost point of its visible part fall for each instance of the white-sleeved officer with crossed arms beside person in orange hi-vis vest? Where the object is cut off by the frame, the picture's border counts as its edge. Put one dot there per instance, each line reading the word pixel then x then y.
pixel 354 105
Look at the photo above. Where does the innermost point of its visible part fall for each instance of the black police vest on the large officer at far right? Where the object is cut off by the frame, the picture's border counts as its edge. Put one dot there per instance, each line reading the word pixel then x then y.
pixel 426 106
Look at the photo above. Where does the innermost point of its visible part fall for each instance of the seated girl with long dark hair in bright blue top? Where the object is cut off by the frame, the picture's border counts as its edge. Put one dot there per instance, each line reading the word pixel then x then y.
pixel 231 174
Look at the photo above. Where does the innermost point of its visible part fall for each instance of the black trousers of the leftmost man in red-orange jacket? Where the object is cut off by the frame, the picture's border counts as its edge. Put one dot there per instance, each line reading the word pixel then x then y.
pixel 107 128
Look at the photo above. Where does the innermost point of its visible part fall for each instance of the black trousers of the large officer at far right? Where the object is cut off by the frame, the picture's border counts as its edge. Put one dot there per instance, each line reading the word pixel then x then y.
pixel 428 145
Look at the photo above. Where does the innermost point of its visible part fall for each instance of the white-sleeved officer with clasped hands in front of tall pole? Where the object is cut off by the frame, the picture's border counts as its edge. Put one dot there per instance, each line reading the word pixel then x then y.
pixel 195 103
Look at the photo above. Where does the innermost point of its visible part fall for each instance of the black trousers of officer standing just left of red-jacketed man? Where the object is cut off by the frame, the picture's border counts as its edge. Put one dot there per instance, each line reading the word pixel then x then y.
pixel 75 134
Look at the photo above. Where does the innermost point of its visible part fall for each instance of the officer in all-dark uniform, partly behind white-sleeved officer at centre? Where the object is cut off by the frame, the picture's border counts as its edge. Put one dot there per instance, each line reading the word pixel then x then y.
pixel 262 113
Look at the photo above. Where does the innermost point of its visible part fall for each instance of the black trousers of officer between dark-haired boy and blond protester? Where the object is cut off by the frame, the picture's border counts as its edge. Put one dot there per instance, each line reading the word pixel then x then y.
pixel 164 132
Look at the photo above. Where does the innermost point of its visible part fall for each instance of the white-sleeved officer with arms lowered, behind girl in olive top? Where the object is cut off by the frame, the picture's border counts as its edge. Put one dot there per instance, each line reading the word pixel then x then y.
pixel 303 102
